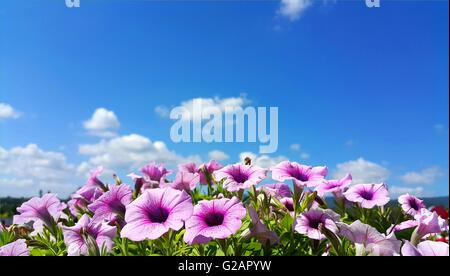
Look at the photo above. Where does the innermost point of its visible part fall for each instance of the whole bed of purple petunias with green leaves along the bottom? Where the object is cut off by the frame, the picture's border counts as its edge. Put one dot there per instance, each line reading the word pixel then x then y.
pixel 227 210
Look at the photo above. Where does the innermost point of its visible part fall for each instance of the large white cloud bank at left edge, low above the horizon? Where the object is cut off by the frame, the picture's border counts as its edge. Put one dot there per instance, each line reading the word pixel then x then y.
pixel 26 170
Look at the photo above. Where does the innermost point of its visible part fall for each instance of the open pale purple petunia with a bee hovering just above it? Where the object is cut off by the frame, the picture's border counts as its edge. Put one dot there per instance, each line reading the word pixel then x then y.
pixel 238 177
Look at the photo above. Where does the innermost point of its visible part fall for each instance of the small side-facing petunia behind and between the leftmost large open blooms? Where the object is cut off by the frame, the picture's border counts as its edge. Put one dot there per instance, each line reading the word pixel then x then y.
pixel 82 198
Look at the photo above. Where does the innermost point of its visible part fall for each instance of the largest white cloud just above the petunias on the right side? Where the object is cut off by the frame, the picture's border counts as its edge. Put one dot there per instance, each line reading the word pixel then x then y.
pixel 363 171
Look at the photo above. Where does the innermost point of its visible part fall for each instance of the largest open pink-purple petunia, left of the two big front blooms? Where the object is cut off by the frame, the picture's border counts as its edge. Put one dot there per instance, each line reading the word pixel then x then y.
pixel 156 211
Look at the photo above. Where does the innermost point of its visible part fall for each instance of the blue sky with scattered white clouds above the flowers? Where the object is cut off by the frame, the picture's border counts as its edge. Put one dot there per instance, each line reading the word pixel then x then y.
pixel 358 89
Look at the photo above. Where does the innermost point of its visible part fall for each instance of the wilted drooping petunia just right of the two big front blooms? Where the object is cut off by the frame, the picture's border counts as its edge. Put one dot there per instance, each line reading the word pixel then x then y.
pixel 259 230
